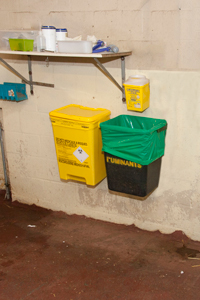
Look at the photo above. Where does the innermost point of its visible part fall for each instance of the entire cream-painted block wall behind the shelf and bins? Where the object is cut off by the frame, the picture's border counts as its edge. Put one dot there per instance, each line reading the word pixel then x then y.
pixel 164 38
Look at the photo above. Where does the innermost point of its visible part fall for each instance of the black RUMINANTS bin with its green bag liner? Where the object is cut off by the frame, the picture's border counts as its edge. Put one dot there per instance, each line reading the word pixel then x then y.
pixel 133 148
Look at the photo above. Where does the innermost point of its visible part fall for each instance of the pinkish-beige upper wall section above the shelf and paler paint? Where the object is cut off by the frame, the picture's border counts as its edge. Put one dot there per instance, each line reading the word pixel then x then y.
pixel 162 34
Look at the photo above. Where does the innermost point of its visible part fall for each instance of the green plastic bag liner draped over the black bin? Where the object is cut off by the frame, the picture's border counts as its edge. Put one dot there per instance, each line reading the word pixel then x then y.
pixel 138 139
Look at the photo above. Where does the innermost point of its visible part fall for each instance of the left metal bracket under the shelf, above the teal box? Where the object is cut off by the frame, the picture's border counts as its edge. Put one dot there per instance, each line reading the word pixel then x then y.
pixel 30 82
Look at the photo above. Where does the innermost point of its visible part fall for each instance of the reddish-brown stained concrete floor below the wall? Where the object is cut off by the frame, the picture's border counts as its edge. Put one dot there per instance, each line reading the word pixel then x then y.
pixel 48 255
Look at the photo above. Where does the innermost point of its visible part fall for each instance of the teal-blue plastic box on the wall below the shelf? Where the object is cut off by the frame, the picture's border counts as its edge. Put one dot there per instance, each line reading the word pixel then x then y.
pixel 13 91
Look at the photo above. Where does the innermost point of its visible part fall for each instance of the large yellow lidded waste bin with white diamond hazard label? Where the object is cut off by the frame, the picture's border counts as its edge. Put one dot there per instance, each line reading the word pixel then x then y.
pixel 78 142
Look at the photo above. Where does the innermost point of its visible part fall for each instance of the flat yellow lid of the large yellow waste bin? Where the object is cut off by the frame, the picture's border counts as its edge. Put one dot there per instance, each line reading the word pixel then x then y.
pixel 80 113
